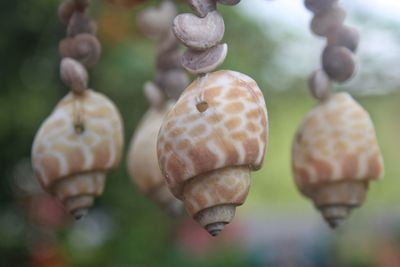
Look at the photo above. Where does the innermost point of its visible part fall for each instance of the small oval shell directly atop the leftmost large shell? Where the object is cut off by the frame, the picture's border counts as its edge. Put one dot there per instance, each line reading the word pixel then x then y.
pixel 74 75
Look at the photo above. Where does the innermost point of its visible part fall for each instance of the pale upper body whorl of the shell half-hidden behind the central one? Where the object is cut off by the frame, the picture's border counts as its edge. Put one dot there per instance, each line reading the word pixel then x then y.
pixel 142 156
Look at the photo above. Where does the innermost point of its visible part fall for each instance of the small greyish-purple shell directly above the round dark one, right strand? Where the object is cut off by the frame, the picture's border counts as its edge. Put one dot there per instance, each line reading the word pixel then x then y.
pixel 344 36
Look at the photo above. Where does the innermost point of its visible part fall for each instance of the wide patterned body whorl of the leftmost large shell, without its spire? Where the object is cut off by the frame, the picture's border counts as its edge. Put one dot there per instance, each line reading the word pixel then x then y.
pixel 58 151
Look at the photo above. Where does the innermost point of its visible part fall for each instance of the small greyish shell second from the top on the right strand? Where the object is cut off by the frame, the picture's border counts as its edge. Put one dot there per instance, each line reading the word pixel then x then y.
pixel 327 20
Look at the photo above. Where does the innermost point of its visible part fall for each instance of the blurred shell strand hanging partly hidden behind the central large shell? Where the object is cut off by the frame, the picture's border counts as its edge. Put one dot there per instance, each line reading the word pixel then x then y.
pixel 142 159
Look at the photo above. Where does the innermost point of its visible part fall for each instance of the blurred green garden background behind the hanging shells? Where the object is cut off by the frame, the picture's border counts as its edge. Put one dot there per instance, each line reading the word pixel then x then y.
pixel 275 227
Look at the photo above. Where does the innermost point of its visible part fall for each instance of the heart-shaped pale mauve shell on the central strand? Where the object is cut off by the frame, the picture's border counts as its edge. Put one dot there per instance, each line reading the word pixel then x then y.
pixel 199 33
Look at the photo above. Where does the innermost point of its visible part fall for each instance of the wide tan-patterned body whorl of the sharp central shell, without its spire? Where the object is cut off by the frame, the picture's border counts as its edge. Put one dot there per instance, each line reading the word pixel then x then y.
pixel 231 131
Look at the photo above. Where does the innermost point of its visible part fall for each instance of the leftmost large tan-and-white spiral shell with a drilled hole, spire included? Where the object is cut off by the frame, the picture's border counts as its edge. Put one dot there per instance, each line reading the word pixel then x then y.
pixel 75 147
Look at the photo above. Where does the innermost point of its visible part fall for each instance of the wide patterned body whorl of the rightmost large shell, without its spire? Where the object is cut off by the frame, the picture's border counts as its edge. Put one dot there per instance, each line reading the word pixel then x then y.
pixel 336 142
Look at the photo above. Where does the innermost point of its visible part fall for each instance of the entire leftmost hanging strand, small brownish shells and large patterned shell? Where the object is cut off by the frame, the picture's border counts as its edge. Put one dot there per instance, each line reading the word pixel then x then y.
pixel 82 139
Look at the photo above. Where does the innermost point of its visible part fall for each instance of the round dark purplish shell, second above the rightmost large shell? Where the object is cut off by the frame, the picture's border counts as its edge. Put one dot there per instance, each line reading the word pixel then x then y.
pixel 338 63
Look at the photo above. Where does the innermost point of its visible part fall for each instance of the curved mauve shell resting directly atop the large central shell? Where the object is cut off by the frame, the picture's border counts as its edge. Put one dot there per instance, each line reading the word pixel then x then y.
pixel 199 62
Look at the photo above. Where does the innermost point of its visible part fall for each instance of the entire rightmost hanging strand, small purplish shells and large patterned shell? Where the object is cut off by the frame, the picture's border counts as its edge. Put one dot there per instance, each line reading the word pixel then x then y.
pixel 335 153
